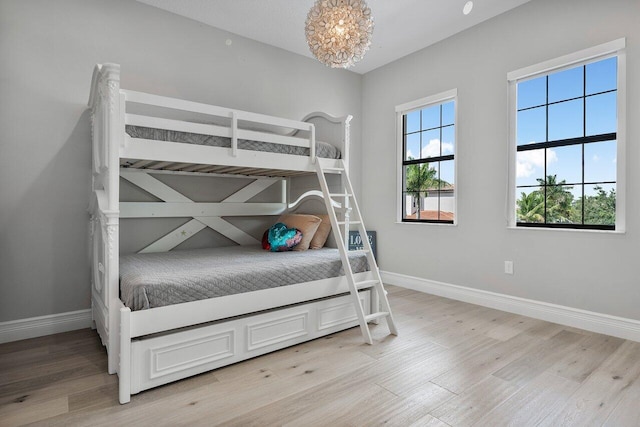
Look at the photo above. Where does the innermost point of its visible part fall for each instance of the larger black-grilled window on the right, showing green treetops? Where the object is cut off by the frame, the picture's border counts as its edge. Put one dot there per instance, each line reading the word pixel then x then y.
pixel 567 144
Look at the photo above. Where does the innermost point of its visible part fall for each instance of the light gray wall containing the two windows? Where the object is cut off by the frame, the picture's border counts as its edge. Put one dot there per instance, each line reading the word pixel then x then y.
pixel 586 270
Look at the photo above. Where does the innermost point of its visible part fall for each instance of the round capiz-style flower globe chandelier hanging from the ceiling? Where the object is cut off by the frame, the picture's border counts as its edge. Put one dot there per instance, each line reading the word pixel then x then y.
pixel 339 31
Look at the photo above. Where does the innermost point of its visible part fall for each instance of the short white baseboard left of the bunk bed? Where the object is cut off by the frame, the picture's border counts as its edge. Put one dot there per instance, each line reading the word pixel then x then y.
pixel 15 330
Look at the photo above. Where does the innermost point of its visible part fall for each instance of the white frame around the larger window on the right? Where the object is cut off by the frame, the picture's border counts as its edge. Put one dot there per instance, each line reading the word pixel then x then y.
pixel 610 49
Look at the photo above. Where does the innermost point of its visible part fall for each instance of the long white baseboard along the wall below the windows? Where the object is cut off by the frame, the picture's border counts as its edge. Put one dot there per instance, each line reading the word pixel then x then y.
pixel 596 322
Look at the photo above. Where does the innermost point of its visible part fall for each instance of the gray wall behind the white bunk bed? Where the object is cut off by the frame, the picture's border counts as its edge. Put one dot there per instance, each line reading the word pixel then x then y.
pixel 47 53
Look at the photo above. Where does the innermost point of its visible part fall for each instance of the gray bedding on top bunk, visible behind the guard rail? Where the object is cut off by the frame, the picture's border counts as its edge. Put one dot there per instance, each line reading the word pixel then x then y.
pixel 323 149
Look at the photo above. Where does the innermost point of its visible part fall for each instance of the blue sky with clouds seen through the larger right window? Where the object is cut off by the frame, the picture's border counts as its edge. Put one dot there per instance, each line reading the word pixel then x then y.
pixel 565 120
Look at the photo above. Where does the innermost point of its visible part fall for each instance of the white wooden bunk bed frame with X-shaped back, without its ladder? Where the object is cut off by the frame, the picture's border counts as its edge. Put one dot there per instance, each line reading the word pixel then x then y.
pixel 151 347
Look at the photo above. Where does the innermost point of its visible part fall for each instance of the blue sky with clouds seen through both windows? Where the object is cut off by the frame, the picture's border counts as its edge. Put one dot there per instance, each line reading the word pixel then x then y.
pixel 566 119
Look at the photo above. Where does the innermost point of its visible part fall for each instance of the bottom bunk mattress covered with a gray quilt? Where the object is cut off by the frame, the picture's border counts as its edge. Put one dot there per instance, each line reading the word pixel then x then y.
pixel 166 278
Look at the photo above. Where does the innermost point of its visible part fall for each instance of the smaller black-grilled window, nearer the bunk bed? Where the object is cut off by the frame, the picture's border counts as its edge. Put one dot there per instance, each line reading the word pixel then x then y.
pixel 426 142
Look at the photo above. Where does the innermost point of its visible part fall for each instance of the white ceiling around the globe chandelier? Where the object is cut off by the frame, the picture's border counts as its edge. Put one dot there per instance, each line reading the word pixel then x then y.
pixel 401 26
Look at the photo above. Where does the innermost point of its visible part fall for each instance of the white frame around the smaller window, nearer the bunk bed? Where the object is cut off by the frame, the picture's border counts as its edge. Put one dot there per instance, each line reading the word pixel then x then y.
pixel 419 104
